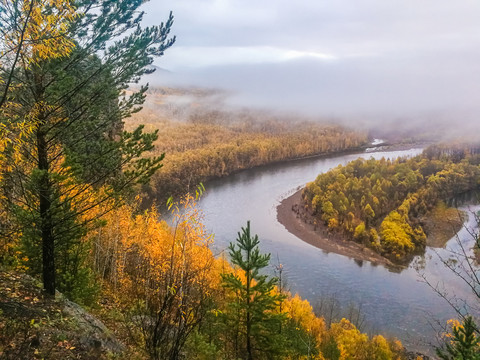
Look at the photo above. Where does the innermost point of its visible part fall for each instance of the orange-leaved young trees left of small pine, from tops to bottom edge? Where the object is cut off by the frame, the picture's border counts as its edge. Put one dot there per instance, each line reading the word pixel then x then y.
pixel 162 276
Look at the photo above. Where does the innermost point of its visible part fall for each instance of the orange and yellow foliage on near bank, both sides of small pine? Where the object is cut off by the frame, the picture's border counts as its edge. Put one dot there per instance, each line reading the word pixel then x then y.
pixel 165 280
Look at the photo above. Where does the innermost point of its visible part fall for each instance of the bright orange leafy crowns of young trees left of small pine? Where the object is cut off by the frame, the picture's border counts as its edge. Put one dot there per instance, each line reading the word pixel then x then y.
pixel 146 257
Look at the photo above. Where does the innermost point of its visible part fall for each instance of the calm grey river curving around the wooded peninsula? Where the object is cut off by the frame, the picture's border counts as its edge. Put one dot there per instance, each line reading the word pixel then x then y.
pixel 399 305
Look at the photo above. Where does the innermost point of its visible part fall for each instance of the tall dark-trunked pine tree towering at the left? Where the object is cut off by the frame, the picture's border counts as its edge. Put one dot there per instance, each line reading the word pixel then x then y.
pixel 75 156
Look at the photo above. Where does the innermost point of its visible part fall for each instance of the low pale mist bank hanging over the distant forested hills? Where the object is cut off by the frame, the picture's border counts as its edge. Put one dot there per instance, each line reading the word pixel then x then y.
pixel 401 104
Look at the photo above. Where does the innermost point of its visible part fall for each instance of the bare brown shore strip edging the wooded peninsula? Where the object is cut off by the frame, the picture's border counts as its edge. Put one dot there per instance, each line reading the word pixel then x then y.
pixel 318 237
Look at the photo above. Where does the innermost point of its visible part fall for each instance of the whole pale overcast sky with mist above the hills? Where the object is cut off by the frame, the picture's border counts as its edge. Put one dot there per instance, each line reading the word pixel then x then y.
pixel 337 57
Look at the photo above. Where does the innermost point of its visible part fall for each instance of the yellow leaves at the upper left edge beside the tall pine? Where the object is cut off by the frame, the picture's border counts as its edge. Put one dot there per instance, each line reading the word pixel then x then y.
pixel 38 31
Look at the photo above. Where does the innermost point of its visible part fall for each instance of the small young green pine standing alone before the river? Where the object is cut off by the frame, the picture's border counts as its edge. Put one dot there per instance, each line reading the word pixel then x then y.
pixel 252 313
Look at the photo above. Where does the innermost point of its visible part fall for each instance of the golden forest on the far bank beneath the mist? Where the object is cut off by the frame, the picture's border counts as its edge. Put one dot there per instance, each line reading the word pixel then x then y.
pixel 209 144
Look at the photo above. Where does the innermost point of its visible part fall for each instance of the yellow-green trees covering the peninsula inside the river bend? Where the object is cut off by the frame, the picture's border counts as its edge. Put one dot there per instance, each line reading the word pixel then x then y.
pixel 381 203
